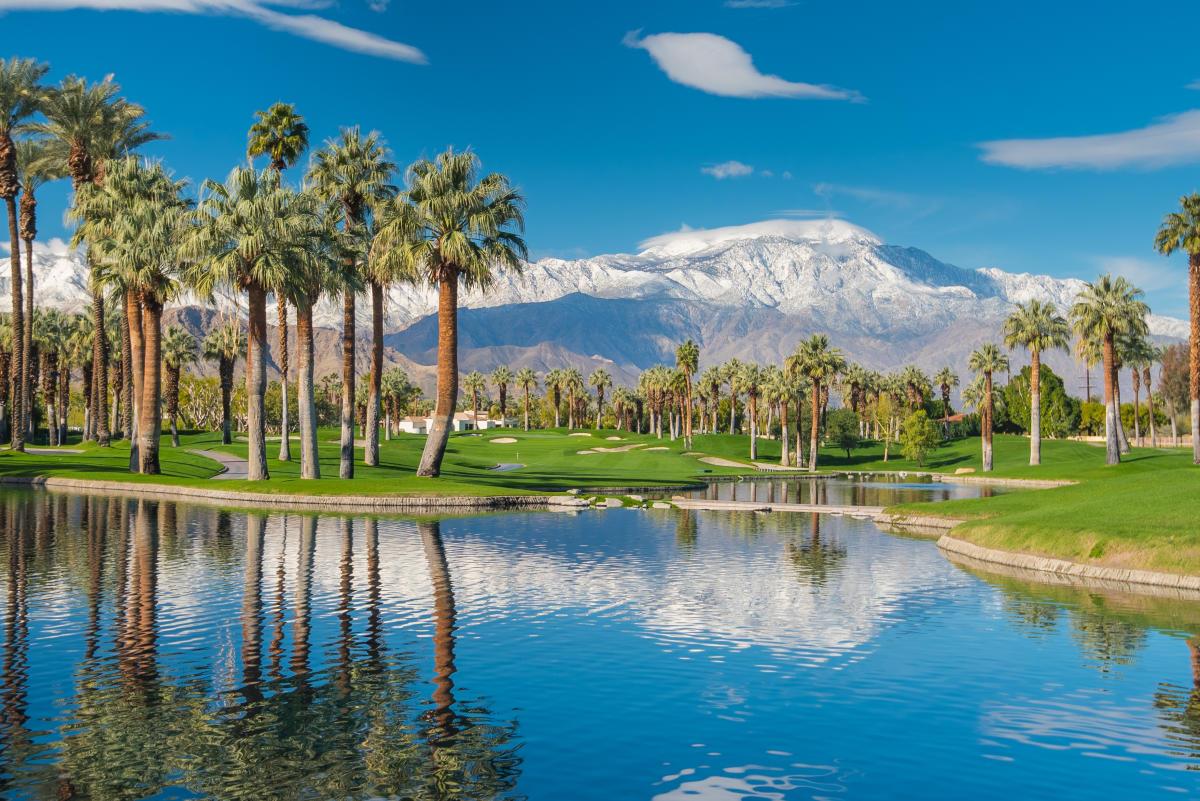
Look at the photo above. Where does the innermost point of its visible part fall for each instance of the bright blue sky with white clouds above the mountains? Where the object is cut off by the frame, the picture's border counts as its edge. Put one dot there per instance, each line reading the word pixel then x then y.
pixel 616 133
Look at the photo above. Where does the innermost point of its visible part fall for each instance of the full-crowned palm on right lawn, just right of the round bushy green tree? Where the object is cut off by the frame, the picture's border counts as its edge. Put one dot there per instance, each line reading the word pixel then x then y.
pixel 1106 310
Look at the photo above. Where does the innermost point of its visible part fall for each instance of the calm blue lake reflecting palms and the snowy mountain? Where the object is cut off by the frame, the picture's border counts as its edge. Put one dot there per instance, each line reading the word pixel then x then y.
pixel 155 651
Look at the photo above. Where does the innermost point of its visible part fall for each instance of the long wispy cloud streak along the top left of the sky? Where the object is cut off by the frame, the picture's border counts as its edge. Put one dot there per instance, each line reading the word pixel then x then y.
pixel 311 27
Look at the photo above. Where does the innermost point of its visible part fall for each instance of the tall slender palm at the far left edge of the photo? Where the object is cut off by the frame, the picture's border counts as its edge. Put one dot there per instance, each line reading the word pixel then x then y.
pixel 21 98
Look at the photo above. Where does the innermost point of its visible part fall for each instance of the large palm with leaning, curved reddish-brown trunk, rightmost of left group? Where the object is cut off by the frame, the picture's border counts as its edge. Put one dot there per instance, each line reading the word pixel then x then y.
pixel 452 228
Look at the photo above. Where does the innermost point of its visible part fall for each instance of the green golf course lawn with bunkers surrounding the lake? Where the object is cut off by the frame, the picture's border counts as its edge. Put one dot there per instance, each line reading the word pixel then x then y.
pixel 1142 514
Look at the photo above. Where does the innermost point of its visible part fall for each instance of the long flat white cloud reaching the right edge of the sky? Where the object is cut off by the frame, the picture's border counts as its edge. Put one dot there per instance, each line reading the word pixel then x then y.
pixel 1172 141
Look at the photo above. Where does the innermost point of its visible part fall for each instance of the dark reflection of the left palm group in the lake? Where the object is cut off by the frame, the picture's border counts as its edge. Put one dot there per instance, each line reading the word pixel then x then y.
pixel 160 707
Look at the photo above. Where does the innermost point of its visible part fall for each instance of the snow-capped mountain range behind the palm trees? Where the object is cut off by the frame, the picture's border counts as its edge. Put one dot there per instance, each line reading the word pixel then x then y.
pixel 749 292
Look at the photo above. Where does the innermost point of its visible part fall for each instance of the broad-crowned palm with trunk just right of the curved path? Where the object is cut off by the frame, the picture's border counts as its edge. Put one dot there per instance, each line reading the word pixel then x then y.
pixel 250 234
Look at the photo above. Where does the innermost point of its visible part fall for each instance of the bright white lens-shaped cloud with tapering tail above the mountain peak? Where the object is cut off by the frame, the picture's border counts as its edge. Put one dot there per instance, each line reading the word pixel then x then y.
pixel 719 67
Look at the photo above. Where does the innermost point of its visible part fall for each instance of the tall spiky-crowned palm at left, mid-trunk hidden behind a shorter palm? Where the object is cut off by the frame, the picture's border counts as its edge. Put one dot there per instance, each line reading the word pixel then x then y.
pixel 87 125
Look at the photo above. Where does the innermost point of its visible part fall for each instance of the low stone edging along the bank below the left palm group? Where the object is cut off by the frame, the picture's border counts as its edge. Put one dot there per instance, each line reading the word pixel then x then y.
pixel 316 503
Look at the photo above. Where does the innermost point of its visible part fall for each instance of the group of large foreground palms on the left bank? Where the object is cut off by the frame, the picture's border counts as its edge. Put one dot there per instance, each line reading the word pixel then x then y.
pixel 347 230
